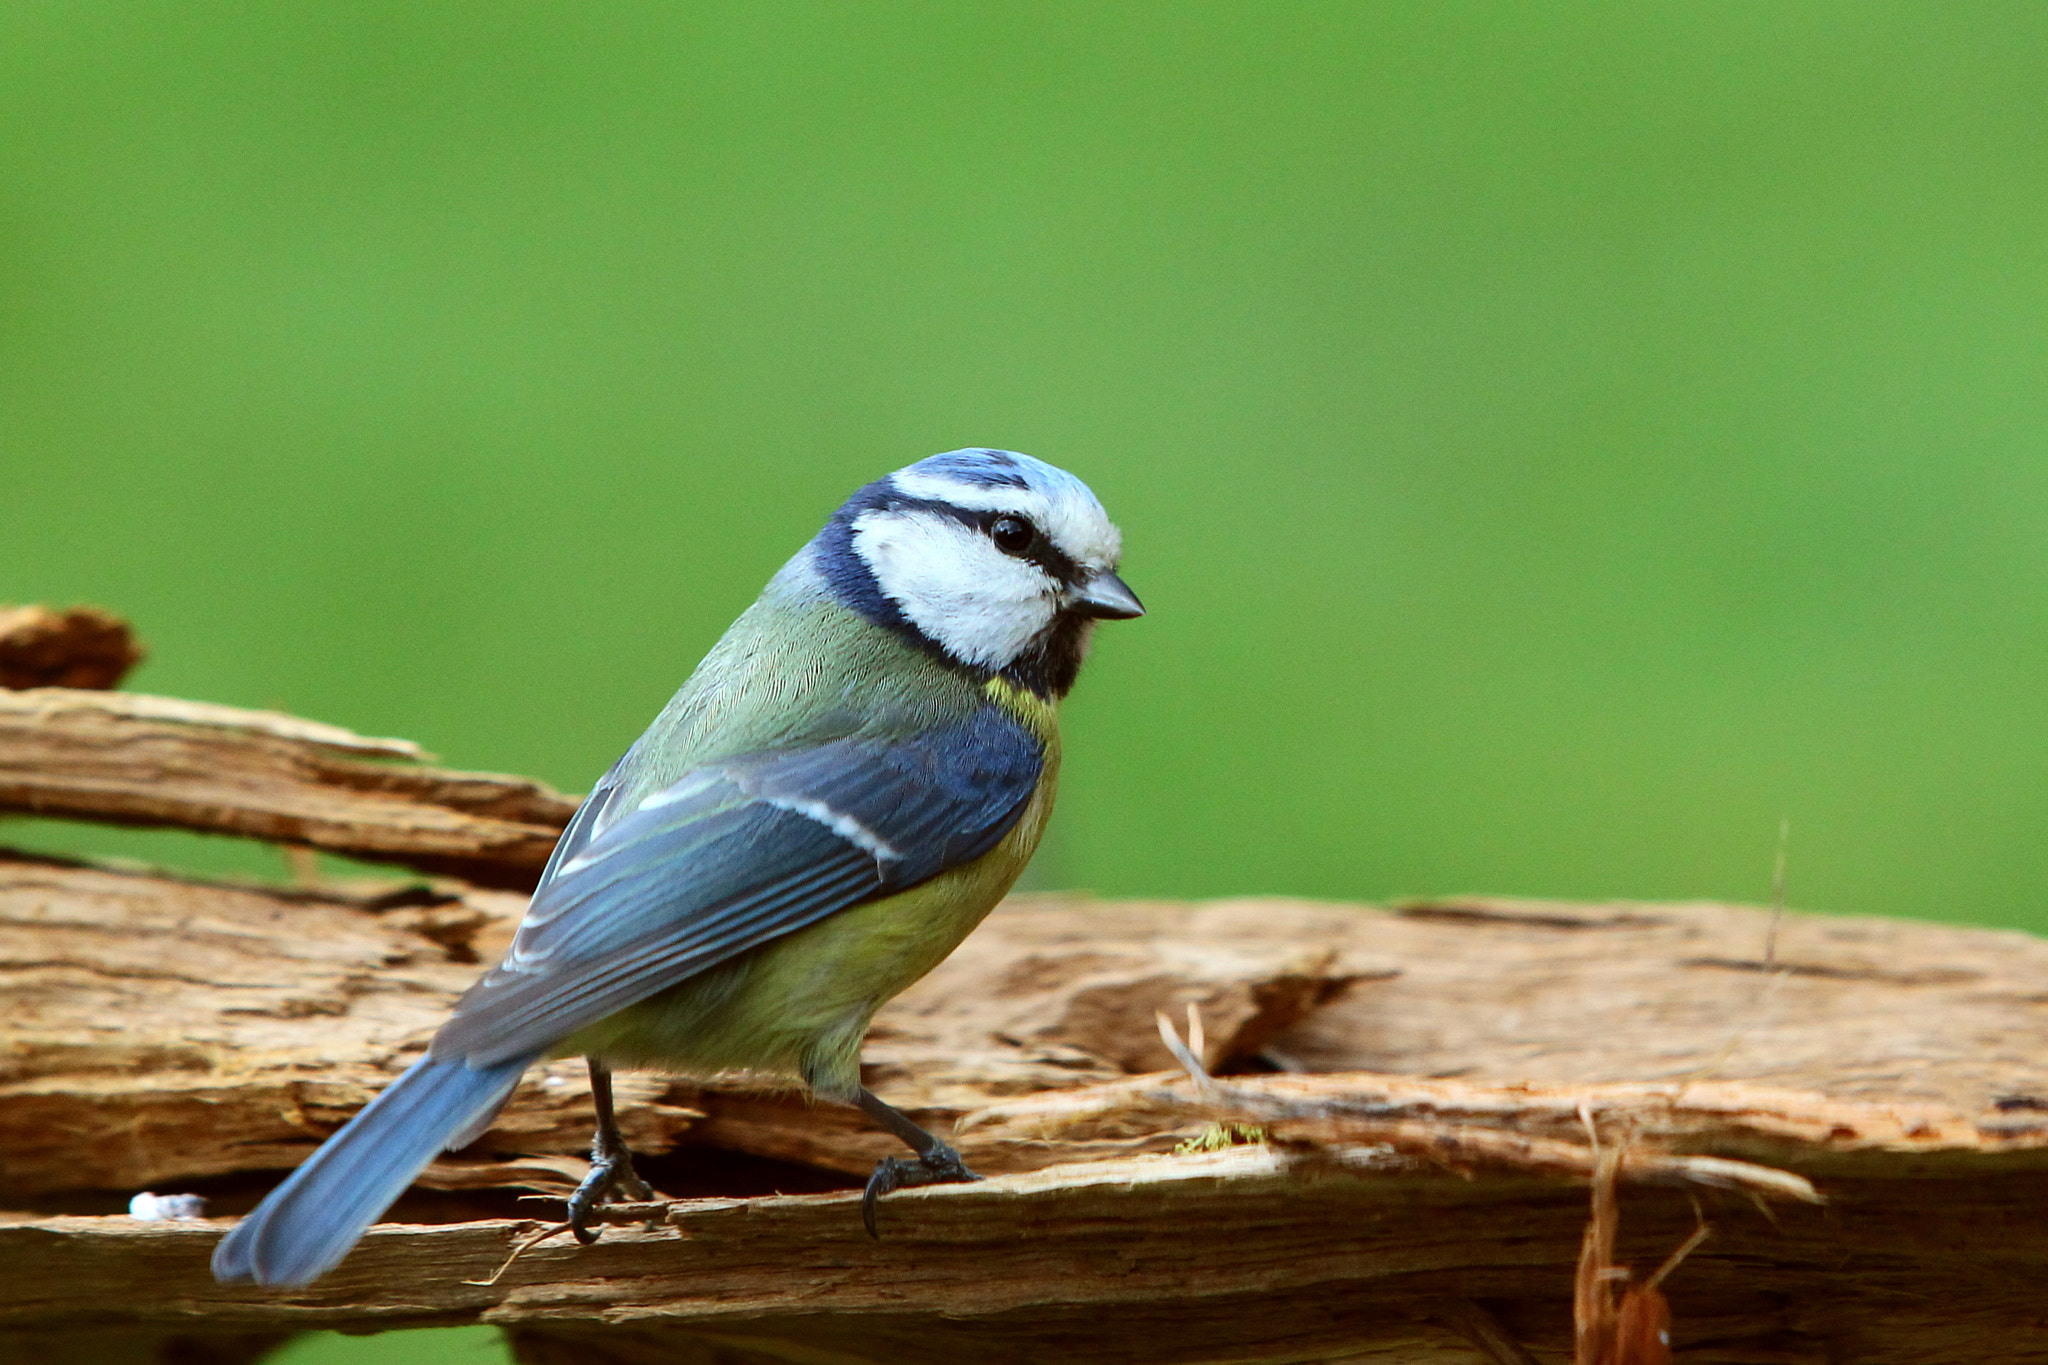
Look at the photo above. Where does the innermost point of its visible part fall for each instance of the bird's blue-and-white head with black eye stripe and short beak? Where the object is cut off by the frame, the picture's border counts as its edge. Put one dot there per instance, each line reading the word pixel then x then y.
pixel 998 562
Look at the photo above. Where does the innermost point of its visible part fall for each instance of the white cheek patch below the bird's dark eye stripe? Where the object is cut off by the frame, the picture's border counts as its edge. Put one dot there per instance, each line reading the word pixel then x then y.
pixel 982 607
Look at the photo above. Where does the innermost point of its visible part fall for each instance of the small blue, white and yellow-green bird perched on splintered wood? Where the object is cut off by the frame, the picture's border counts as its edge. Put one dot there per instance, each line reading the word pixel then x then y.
pixel 843 789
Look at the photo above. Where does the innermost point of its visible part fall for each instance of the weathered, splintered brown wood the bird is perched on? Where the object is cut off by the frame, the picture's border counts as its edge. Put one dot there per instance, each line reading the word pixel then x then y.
pixel 1463 1131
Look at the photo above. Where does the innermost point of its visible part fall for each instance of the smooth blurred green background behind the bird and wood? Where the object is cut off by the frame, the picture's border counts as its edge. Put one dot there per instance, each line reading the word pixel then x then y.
pixel 1555 441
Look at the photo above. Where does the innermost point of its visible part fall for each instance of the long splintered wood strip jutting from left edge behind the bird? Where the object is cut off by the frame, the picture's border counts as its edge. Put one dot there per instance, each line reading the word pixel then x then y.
pixel 138 760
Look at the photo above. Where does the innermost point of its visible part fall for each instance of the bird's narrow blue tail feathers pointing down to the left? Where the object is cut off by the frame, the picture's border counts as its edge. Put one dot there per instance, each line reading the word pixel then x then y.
pixel 310 1223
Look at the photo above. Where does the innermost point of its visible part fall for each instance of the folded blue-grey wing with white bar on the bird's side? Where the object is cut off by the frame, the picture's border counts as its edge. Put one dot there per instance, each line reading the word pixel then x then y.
pixel 732 856
